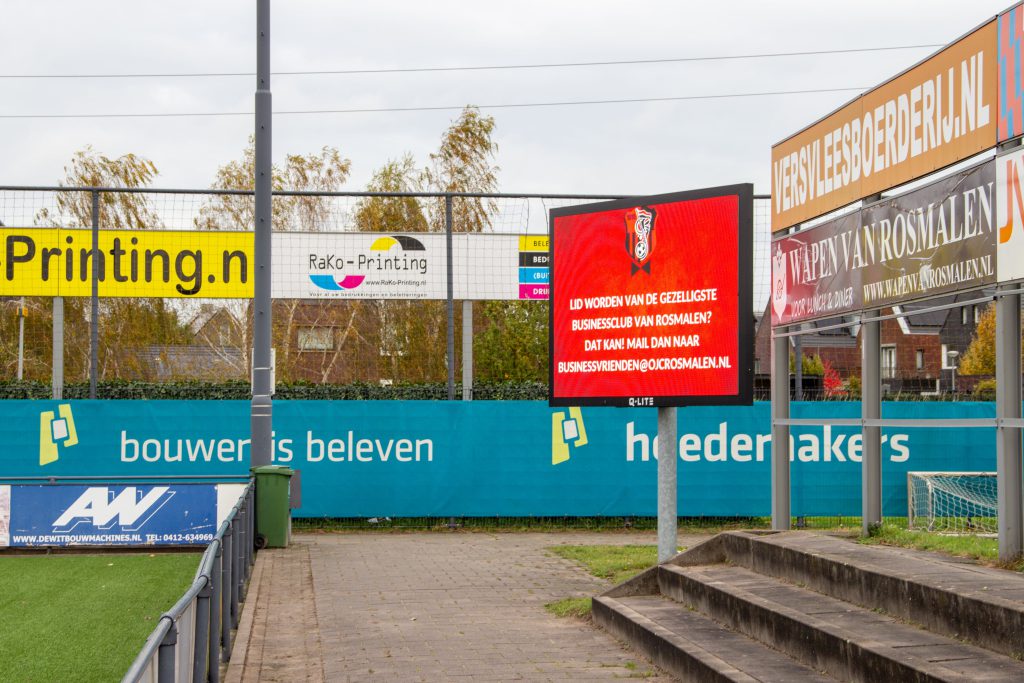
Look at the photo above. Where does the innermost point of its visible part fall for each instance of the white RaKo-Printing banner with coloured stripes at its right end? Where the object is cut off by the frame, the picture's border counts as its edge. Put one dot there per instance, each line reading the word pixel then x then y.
pixel 372 266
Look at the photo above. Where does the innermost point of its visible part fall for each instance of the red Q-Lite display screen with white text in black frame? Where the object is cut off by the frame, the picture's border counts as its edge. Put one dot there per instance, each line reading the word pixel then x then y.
pixel 651 301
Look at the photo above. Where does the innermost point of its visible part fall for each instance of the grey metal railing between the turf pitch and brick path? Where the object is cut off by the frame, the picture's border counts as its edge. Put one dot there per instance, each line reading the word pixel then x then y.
pixel 194 637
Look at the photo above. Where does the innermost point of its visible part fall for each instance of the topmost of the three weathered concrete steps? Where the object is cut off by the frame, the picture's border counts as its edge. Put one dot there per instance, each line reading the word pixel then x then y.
pixel 952 597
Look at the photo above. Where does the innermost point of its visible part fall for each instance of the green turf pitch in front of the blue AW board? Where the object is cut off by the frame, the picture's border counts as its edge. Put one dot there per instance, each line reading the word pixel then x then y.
pixel 83 618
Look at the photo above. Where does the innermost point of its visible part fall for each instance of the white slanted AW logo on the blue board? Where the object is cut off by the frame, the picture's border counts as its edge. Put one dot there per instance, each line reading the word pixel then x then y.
pixel 100 507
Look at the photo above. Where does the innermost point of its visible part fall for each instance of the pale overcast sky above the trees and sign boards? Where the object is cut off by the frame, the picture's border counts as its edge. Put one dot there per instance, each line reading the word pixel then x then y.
pixel 635 149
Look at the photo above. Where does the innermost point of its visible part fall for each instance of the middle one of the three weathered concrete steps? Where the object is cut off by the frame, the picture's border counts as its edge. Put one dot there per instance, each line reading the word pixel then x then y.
pixel 827 634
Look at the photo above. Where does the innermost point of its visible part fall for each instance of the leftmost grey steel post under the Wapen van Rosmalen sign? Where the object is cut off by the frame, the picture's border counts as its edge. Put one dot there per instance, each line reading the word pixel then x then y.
pixel 780 434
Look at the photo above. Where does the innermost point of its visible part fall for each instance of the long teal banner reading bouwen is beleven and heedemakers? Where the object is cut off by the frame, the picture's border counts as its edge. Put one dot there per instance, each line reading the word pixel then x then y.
pixel 372 459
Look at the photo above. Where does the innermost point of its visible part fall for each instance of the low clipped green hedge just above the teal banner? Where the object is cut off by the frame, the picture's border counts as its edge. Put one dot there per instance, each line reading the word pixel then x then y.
pixel 240 391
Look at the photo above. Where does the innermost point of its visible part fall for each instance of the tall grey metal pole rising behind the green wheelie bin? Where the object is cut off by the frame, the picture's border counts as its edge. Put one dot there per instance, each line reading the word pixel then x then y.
pixel 263 409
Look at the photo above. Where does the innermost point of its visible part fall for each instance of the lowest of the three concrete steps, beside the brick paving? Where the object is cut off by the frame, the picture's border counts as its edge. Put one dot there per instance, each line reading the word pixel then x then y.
pixel 693 647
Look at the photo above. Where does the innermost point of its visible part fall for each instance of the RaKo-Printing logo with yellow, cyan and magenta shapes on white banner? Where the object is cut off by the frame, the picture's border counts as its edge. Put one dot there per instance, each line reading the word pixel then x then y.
pixel 390 253
